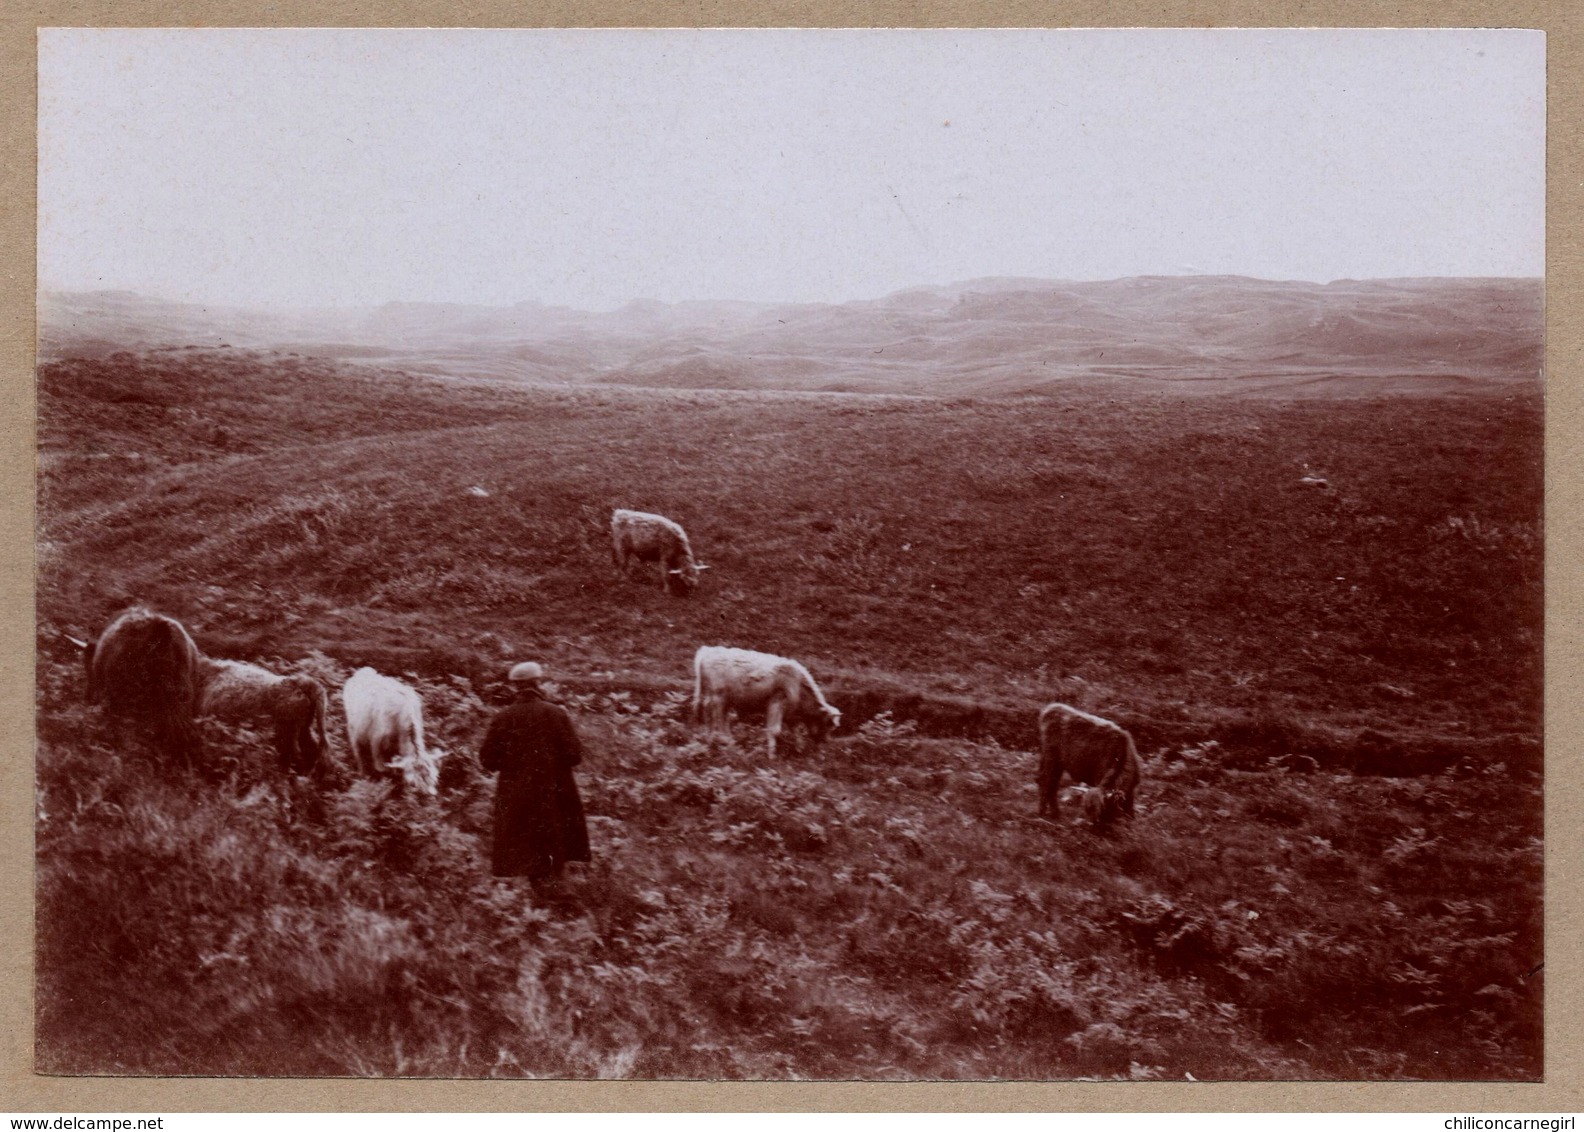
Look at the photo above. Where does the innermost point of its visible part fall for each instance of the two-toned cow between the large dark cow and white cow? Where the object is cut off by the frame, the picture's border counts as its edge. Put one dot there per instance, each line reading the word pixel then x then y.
pixel 240 693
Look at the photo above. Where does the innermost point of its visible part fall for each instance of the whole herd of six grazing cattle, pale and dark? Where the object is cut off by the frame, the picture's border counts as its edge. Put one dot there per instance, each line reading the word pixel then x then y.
pixel 145 667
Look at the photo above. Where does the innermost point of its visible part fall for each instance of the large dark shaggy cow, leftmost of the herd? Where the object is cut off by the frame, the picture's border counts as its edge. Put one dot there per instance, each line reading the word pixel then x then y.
pixel 145 667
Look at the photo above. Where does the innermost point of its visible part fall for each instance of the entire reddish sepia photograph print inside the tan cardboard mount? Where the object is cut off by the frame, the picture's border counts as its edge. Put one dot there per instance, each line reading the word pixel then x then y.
pixel 804 555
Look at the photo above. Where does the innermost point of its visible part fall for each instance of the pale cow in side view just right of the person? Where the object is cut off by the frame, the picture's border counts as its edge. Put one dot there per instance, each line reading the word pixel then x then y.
pixel 747 682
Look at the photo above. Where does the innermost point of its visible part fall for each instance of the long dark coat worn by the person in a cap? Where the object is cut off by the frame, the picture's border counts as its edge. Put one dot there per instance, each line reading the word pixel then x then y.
pixel 539 816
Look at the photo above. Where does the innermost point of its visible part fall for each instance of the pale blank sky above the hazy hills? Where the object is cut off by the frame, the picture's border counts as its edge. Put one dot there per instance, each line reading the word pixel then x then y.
pixel 596 167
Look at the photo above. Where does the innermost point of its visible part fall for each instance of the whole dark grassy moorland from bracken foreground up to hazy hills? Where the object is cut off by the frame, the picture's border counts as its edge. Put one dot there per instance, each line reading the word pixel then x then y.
pixel 1322 618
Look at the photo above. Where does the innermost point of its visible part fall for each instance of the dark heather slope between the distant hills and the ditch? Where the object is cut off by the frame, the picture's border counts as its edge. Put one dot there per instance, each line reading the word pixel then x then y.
pixel 959 547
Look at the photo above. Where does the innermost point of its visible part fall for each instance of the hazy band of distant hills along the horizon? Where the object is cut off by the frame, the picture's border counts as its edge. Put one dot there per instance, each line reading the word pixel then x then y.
pixel 986 338
